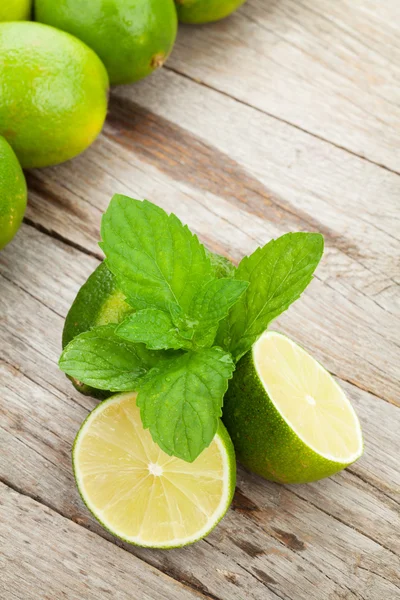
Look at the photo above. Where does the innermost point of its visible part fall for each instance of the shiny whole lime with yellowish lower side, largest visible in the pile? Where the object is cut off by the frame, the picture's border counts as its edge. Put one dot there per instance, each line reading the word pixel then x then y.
pixel 53 93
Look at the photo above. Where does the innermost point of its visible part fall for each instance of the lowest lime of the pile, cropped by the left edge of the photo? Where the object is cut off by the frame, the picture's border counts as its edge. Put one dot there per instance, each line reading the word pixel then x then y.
pixel 12 193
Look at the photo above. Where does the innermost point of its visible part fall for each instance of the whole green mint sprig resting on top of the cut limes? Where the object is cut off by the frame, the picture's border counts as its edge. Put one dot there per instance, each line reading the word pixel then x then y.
pixel 195 316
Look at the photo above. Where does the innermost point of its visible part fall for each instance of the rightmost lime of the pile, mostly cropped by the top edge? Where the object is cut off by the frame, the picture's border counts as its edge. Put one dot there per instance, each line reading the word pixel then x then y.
pixel 205 11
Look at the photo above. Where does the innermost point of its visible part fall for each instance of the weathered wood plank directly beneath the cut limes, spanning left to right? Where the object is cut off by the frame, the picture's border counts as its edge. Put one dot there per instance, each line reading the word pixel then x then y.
pixel 286 548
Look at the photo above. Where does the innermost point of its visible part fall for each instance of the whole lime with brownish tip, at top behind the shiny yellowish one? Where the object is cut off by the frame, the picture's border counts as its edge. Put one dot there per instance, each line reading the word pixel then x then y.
pixel 132 37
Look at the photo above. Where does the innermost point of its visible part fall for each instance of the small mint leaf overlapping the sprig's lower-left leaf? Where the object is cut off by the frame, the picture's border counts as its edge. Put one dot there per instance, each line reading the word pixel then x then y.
pixel 152 327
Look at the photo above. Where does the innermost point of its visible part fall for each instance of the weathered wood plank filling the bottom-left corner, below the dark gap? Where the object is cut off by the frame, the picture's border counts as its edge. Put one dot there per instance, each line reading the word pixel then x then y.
pixel 44 553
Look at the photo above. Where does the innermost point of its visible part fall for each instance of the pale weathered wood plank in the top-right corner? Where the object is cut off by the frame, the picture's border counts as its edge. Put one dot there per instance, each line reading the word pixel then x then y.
pixel 331 68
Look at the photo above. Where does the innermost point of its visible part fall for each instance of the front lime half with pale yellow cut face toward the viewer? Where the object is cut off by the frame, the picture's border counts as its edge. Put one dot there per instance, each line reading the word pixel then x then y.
pixel 141 494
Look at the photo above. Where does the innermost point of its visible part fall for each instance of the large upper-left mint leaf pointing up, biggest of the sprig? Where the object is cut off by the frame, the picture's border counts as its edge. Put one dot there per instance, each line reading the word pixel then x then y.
pixel 156 260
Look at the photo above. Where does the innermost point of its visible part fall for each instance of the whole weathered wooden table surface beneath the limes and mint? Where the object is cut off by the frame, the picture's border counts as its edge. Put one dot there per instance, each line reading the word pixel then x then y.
pixel 284 117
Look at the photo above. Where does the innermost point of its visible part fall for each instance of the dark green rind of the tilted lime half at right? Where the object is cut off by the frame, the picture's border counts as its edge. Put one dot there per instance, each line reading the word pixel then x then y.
pixel 264 442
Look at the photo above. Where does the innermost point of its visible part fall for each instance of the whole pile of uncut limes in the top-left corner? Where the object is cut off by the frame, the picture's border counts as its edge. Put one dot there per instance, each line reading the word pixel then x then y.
pixel 55 74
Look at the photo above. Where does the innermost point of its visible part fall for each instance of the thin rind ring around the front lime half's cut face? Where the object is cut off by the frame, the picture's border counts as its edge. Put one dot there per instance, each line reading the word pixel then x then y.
pixel 227 445
